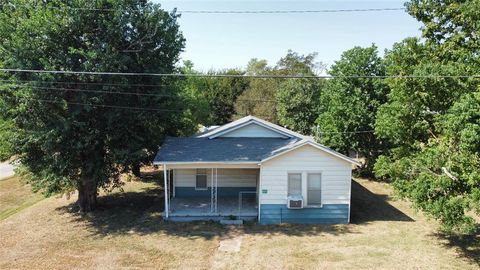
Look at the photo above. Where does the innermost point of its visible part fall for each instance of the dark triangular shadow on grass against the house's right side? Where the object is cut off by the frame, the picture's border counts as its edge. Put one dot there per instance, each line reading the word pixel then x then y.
pixel 368 206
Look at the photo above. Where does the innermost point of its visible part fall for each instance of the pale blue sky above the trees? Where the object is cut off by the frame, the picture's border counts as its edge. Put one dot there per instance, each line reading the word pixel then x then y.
pixel 230 40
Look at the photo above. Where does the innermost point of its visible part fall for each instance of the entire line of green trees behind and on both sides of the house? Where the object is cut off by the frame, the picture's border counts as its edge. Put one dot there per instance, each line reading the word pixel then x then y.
pixel 418 129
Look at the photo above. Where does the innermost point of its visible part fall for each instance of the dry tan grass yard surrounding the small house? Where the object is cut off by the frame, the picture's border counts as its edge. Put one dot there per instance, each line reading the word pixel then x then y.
pixel 128 232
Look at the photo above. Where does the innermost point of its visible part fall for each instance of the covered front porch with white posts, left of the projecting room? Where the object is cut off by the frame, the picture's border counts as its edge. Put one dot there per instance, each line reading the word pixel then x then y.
pixel 211 191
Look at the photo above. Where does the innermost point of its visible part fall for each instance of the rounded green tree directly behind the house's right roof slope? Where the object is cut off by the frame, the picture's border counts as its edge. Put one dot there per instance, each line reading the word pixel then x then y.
pixel 348 106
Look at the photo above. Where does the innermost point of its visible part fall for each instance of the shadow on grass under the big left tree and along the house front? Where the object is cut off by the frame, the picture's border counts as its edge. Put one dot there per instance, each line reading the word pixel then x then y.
pixel 141 213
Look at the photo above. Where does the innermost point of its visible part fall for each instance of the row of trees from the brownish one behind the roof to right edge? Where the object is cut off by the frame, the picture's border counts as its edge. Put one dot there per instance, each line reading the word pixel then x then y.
pixel 419 129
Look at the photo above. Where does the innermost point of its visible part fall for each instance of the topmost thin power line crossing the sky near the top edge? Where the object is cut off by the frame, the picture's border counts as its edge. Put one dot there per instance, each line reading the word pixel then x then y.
pixel 223 11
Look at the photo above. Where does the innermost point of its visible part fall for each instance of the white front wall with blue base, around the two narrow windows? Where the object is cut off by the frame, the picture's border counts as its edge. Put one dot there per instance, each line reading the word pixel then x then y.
pixel 336 182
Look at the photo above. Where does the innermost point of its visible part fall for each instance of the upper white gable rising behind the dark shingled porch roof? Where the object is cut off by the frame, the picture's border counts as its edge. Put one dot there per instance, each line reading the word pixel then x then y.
pixel 253 127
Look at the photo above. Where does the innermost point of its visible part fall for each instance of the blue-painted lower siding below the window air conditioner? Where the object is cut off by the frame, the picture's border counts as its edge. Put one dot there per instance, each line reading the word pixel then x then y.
pixel 328 214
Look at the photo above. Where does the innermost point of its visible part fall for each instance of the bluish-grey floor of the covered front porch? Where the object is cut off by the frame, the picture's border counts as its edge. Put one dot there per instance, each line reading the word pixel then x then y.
pixel 200 207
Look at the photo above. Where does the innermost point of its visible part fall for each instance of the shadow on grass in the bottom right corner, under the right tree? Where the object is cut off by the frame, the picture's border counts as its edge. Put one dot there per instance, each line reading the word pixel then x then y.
pixel 468 246
